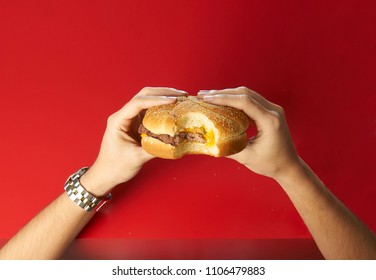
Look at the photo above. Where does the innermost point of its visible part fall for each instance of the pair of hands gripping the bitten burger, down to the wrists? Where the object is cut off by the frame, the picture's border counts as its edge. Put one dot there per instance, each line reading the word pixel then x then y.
pixel 271 152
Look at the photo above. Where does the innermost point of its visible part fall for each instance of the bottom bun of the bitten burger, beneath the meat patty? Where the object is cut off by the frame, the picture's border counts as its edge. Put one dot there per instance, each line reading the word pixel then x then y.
pixel 225 147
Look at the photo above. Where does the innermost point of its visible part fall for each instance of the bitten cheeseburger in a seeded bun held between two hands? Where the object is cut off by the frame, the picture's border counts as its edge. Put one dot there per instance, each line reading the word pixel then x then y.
pixel 191 126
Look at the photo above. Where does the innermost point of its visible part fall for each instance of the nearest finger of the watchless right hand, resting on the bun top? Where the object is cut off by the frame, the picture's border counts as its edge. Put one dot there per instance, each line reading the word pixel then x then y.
pixel 244 102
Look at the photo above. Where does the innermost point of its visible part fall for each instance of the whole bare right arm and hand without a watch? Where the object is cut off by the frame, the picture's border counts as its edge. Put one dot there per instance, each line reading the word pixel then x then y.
pixel 338 233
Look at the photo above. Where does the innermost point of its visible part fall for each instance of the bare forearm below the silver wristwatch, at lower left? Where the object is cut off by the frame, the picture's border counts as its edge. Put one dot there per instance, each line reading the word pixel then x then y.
pixel 49 233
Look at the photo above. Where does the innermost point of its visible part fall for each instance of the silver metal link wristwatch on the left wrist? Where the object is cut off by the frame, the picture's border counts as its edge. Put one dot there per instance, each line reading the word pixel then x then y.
pixel 79 195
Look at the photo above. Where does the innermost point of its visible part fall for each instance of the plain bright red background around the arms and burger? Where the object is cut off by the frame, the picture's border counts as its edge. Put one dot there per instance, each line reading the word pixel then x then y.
pixel 65 66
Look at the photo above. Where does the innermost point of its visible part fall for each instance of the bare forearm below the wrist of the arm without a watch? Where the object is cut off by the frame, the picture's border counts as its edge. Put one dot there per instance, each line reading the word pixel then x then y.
pixel 338 233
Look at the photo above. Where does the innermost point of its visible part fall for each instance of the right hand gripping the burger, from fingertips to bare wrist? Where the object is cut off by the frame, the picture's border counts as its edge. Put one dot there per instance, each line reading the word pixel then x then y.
pixel 271 152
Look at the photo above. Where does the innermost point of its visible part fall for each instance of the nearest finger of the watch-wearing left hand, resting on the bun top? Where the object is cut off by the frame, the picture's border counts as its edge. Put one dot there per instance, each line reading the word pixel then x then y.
pixel 141 102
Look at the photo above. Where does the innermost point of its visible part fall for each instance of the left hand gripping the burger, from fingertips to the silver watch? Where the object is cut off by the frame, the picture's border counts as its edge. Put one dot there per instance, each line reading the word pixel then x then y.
pixel 121 156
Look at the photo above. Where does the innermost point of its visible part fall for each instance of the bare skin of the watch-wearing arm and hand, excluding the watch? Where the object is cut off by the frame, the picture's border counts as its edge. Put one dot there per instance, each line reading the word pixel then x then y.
pixel 49 233
